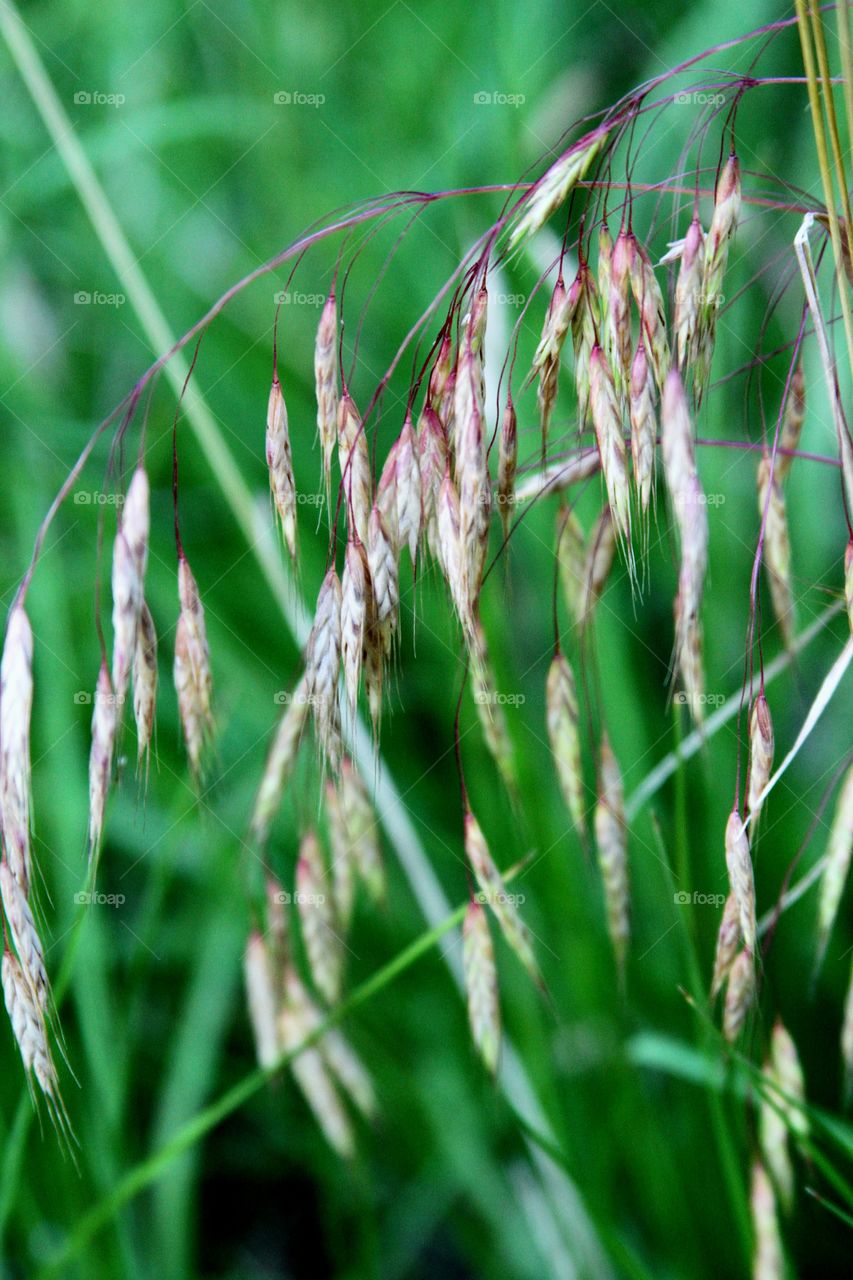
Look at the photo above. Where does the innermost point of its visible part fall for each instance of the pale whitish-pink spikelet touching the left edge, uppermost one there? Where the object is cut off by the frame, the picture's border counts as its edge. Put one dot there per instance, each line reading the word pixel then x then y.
pixel 16 712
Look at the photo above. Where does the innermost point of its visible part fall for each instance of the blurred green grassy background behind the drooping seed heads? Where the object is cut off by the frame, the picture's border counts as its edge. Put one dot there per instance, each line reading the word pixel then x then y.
pixel 209 177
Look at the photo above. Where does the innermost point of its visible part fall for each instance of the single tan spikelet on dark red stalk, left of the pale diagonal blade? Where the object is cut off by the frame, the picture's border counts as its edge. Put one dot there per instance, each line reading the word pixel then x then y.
pixel 193 679
